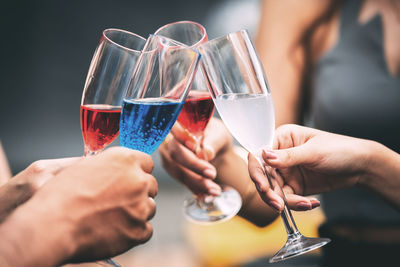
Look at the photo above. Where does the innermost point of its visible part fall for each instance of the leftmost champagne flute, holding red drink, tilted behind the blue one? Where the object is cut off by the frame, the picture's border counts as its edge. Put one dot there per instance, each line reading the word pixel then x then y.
pixel 107 81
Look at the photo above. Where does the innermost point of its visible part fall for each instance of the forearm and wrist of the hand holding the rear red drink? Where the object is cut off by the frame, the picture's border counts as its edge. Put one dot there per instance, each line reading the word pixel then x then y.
pixel 232 170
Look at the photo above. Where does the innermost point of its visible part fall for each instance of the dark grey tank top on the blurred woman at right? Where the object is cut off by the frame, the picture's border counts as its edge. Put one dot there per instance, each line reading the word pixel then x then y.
pixel 354 94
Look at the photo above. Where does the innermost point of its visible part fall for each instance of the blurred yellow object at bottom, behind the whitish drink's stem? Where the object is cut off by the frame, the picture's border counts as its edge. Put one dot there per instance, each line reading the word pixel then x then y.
pixel 238 241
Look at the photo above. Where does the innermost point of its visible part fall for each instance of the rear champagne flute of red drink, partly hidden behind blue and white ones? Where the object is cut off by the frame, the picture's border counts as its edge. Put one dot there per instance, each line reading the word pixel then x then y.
pixel 194 117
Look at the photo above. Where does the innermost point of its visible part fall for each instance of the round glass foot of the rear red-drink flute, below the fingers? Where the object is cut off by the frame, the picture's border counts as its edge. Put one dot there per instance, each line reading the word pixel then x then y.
pixel 218 209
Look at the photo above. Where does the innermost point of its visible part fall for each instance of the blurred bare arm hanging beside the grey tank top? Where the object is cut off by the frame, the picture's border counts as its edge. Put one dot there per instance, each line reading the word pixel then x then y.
pixel 281 27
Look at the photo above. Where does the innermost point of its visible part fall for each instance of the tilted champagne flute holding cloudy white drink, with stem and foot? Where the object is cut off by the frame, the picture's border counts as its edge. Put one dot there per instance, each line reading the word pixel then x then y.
pixel 242 96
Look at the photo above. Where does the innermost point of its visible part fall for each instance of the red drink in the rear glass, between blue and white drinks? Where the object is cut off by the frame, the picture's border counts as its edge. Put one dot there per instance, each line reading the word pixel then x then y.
pixel 196 112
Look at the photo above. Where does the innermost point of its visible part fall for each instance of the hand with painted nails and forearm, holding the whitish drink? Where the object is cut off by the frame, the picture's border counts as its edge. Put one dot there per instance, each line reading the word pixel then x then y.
pixel 314 162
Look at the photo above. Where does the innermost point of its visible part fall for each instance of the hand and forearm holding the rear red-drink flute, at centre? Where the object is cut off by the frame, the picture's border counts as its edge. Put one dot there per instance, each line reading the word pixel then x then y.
pixel 227 167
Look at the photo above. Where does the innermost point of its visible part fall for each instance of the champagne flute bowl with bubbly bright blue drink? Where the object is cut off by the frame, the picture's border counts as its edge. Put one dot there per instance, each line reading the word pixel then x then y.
pixel 157 92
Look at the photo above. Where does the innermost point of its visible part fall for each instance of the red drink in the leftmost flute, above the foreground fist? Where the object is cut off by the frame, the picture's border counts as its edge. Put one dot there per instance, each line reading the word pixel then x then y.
pixel 100 125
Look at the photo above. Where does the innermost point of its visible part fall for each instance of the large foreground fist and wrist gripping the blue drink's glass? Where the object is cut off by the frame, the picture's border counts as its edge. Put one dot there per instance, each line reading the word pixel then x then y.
pixel 96 208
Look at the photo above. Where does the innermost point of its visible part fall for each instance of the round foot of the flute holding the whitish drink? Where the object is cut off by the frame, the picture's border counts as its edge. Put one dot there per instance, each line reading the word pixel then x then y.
pixel 298 244
